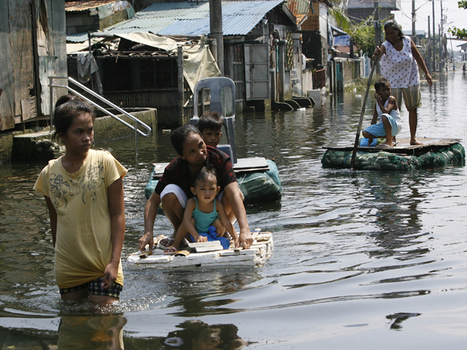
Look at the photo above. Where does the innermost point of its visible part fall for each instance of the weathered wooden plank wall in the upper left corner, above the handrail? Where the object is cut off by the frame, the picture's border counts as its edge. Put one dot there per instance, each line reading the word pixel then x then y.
pixel 26 59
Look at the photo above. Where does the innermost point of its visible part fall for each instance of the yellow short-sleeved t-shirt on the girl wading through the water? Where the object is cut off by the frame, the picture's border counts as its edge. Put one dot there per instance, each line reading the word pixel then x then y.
pixel 83 246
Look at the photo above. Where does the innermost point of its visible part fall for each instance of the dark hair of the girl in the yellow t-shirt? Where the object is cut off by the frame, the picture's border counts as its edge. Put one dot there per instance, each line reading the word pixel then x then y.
pixel 67 108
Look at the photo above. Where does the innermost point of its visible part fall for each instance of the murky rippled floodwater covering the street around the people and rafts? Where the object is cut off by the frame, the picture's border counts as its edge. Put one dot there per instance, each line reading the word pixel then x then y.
pixel 361 259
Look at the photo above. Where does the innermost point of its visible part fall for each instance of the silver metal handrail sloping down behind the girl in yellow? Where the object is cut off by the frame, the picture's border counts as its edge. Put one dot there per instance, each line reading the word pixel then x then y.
pixel 136 120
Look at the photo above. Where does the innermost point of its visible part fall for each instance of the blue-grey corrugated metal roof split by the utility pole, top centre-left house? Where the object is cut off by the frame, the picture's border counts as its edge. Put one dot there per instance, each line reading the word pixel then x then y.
pixel 191 19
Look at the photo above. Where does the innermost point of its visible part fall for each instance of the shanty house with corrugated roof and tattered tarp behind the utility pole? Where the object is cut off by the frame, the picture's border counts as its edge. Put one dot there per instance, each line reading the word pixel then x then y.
pixel 165 41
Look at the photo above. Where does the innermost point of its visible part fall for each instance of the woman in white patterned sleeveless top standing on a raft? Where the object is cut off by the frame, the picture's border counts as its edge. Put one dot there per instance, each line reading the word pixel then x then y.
pixel 399 64
